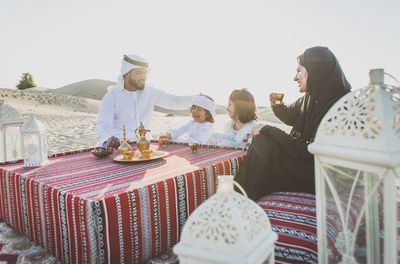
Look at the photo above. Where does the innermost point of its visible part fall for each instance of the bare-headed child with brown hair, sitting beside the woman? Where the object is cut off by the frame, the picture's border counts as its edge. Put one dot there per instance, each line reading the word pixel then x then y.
pixel 242 111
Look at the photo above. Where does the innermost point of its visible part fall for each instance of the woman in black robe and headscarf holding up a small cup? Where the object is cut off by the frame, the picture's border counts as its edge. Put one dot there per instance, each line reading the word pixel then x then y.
pixel 277 161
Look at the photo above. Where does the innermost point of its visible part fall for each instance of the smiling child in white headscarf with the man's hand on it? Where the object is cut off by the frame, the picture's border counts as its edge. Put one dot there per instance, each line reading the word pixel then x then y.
pixel 201 127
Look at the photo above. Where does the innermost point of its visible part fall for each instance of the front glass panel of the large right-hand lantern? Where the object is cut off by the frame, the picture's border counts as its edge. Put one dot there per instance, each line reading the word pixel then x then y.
pixel 353 204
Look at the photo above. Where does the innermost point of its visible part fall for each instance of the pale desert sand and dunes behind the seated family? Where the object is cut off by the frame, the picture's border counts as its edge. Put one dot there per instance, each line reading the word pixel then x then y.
pixel 69 113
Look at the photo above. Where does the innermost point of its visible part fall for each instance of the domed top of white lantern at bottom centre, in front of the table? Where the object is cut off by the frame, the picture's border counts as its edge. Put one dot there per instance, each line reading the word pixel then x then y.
pixel 227 228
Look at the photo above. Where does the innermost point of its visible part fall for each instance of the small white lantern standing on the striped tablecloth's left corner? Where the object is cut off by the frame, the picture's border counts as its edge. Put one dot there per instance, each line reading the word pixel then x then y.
pixel 34 143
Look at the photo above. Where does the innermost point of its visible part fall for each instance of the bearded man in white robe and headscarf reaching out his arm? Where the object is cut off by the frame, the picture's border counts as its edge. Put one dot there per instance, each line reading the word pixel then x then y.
pixel 130 102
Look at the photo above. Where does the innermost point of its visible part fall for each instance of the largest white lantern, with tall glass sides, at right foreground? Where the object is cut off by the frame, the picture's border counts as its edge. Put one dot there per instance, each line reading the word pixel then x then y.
pixel 357 170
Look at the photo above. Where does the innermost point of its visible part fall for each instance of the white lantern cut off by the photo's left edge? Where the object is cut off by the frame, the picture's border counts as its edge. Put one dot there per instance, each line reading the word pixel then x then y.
pixel 10 133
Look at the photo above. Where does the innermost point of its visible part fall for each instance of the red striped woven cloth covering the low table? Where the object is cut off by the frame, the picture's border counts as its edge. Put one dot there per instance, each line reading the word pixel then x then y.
pixel 89 210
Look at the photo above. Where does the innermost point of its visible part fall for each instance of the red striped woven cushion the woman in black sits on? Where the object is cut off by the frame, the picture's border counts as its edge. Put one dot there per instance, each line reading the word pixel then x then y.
pixel 293 218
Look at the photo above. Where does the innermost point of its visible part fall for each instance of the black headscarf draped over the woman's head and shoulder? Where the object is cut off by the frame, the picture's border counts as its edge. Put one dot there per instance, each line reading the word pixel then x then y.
pixel 326 83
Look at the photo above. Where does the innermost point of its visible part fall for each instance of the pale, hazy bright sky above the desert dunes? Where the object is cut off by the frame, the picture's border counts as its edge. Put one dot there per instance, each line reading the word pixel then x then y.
pixel 209 46
